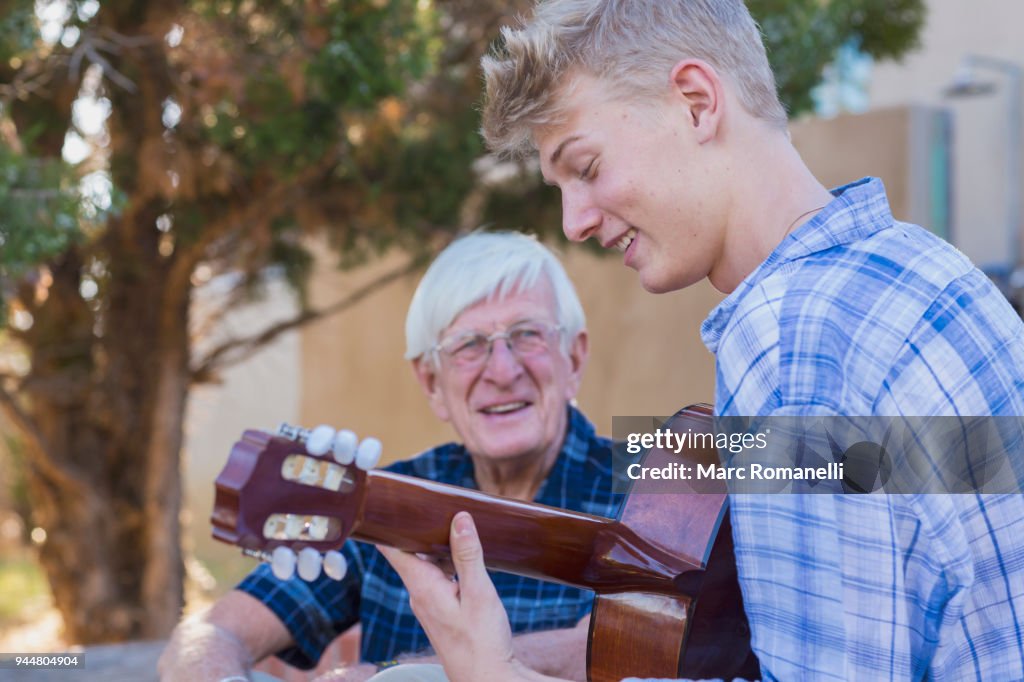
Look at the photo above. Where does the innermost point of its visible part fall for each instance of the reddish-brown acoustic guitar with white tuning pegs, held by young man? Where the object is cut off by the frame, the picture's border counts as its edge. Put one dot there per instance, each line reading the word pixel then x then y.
pixel 667 603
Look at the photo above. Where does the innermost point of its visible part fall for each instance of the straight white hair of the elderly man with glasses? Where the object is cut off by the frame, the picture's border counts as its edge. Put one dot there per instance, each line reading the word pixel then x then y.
pixel 486 267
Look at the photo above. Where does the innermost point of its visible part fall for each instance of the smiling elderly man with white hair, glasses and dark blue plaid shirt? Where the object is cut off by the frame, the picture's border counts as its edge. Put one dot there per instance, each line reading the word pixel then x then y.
pixel 497 339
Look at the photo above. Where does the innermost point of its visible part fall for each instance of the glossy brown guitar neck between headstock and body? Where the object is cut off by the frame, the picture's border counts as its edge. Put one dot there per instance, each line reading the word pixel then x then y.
pixel 527 539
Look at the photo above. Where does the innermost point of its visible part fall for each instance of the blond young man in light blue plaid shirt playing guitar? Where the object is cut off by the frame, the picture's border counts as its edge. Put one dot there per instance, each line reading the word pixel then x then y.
pixel 660 123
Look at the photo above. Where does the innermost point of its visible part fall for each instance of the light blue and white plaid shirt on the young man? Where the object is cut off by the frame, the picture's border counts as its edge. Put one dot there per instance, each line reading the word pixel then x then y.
pixel 859 315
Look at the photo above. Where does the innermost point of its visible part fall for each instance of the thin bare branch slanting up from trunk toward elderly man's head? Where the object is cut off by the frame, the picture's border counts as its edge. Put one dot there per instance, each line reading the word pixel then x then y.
pixel 241 350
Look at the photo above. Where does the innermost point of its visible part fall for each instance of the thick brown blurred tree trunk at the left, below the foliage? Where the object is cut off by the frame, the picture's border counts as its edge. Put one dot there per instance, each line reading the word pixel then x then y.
pixel 110 410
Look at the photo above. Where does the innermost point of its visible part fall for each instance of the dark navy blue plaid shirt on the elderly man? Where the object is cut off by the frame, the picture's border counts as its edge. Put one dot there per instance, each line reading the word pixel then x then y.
pixel 373 594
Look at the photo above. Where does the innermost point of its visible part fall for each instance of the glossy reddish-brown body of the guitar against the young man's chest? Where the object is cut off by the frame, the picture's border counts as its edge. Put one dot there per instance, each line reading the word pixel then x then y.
pixel 701 632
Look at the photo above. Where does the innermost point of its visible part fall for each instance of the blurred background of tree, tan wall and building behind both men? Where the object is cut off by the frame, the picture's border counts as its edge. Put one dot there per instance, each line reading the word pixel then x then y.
pixel 214 216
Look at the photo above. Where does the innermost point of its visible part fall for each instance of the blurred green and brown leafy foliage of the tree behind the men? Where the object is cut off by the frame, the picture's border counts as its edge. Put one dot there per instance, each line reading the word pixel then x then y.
pixel 267 90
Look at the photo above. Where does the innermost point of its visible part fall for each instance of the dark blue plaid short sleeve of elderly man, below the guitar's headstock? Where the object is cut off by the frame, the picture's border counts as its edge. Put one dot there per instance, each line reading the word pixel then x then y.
pixel 314 613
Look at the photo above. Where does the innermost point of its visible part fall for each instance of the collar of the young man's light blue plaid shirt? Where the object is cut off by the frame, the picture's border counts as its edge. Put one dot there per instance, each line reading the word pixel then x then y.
pixel 858 211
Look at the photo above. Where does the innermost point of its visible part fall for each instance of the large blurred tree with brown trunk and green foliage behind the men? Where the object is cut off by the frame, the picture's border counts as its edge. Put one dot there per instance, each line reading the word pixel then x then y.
pixel 231 130
